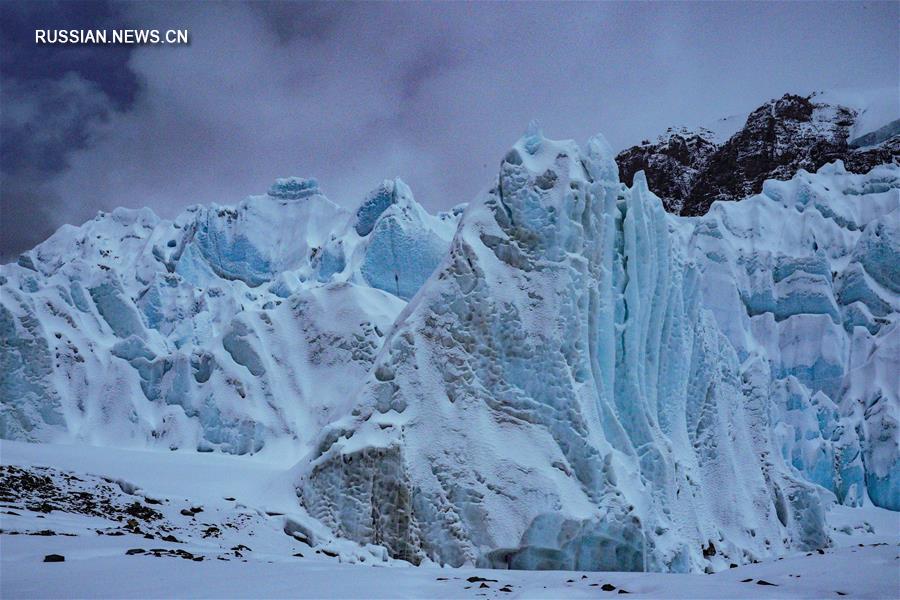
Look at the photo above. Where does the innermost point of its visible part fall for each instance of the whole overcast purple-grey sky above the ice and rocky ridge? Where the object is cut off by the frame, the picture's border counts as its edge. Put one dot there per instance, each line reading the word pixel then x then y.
pixel 355 93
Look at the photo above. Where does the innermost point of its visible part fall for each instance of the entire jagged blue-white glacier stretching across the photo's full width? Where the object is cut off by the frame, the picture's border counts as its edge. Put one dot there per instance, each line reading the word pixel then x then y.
pixel 558 375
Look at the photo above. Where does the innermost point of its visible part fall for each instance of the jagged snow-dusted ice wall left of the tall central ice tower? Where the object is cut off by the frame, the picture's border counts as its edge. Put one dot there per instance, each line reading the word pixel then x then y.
pixel 216 331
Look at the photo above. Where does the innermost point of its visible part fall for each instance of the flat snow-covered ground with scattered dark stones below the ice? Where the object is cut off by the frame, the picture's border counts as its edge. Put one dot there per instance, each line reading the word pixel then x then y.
pixel 232 518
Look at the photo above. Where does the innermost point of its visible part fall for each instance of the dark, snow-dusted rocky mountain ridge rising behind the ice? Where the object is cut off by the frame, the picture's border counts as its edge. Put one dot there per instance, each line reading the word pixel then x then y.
pixel 689 171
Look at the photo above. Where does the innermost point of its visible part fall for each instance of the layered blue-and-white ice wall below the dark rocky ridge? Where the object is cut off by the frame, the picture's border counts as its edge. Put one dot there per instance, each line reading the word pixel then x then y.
pixel 804 276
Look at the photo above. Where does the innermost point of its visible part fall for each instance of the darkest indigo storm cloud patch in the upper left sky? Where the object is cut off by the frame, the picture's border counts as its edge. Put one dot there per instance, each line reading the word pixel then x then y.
pixel 51 98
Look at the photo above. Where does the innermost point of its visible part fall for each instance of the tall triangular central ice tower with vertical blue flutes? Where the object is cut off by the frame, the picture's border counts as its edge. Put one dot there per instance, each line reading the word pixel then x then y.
pixel 556 397
